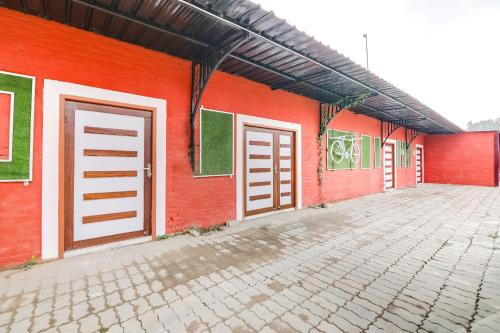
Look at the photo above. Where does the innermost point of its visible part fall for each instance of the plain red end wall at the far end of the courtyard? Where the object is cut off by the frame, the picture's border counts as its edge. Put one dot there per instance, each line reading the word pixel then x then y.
pixel 464 159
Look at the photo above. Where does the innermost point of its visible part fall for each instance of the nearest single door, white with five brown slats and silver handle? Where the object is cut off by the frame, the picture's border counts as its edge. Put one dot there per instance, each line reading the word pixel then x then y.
pixel 107 174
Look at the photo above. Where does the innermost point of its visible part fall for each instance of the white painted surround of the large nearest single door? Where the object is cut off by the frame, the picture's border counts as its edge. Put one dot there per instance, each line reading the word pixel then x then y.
pixel 52 93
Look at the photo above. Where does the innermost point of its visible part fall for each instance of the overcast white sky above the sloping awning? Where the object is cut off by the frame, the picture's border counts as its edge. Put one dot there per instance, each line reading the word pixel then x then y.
pixel 446 53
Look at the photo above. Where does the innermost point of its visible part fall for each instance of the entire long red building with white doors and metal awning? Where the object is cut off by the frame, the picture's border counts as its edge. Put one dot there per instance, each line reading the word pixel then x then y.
pixel 114 138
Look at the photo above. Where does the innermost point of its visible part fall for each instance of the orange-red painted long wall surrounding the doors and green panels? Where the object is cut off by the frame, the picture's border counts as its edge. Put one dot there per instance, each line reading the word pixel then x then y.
pixel 48 50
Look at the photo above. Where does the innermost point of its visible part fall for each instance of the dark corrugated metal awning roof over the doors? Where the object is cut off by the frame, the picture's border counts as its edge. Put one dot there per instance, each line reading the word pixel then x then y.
pixel 277 54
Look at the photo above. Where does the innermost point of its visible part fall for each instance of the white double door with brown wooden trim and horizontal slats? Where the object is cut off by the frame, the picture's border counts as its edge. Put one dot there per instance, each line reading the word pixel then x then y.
pixel 269 170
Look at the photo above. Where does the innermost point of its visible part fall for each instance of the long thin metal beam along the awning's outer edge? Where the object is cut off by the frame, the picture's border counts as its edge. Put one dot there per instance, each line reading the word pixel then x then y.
pixel 318 63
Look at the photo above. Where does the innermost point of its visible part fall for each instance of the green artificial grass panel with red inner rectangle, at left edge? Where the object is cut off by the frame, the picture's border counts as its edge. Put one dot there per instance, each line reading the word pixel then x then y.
pixel 19 167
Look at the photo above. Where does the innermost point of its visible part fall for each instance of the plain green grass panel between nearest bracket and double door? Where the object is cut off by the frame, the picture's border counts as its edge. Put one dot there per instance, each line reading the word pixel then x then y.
pixel 216 143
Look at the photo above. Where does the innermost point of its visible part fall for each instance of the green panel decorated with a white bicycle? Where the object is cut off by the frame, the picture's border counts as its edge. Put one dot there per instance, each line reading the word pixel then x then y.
pixel 343 152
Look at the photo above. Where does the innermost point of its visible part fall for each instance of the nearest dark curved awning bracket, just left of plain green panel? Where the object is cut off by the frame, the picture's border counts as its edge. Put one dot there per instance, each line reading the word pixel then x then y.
pixel 202 71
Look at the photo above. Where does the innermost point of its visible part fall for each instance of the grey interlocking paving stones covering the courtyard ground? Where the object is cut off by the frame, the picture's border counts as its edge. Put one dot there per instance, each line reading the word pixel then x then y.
pixel 416 260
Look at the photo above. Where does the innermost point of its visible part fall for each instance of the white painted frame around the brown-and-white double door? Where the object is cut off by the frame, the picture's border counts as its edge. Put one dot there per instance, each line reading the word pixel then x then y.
pixel 241 121
